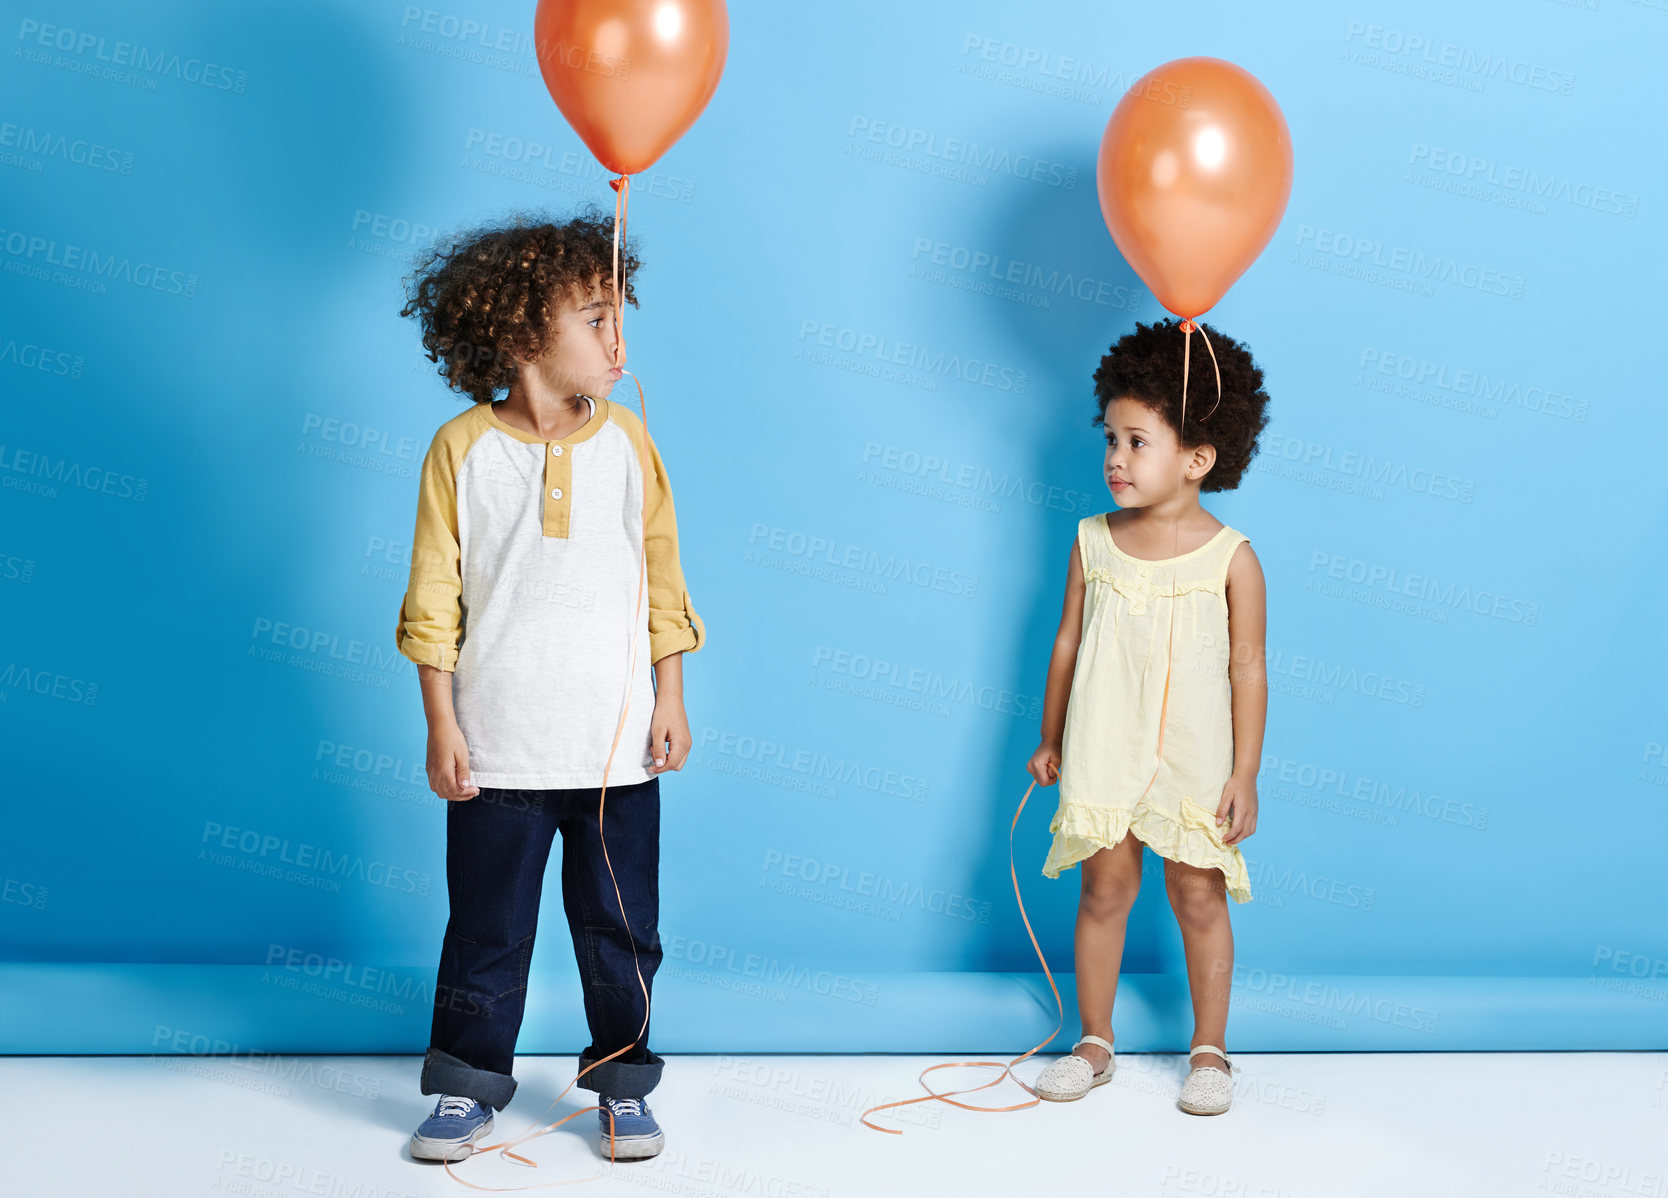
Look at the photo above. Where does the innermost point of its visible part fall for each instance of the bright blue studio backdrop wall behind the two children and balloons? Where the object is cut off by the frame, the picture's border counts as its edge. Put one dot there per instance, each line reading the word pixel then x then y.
pixel 214 418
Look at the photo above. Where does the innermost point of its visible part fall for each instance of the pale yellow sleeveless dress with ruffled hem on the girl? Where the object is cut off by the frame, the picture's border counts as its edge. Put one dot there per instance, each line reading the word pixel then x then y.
pixel 1112 742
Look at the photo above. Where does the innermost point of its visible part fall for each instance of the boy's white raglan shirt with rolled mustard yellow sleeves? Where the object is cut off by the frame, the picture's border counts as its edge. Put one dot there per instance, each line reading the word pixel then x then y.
pixel 525 578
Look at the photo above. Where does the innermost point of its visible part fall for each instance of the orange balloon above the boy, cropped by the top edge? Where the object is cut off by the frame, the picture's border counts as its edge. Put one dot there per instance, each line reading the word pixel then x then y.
pixel 631 76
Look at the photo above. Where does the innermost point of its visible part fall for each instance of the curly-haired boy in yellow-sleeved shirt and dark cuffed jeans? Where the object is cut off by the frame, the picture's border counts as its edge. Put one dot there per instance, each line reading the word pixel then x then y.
pixel 540 516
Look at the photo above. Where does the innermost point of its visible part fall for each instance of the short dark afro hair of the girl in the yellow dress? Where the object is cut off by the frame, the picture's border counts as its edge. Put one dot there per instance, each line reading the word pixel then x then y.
pixel 1147 366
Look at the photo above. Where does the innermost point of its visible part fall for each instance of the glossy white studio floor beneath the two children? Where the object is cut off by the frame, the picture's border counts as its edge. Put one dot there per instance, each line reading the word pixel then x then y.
pixel 1304 1125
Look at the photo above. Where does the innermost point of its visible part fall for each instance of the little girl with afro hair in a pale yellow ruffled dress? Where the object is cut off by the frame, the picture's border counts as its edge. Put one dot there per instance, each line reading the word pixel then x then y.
pixel 1157 690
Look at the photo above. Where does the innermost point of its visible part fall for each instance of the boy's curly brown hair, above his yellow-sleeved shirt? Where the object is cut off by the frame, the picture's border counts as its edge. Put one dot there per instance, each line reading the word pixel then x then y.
pixel 491 294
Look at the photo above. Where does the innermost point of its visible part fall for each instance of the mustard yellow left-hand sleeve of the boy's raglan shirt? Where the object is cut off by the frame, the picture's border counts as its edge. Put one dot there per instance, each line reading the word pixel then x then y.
pixel 431 617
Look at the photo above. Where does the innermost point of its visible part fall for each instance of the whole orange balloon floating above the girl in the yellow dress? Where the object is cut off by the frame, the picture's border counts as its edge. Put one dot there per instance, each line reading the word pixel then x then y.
pixel 1195 173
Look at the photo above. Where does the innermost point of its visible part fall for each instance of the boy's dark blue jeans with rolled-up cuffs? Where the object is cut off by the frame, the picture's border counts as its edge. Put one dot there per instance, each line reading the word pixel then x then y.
pixel 496 850
